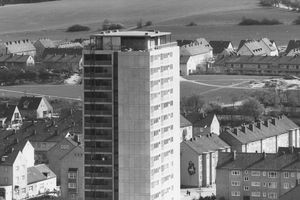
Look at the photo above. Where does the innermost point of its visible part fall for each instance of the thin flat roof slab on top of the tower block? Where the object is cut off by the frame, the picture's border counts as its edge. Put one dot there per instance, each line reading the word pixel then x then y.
pixel 113 33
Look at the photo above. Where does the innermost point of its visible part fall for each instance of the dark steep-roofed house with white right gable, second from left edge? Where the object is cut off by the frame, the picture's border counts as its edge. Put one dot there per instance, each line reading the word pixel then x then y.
pixel 35 107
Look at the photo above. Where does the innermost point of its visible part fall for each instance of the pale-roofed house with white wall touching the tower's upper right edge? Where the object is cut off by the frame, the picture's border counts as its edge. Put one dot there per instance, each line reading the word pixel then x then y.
pixel 195 56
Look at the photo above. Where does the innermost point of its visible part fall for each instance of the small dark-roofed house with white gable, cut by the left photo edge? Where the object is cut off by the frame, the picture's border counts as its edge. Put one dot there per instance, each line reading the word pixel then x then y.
pixel 10 116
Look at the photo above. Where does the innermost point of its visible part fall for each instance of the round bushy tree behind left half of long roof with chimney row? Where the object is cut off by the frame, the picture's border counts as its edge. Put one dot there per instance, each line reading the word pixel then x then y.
pixel 252 107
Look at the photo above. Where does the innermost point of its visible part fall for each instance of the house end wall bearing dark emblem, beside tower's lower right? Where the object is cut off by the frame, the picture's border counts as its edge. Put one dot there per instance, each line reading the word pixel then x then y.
pixel 187 155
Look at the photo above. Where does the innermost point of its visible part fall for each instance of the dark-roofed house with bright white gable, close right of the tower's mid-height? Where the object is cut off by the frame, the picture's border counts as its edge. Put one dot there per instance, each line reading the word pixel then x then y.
pixel 204 123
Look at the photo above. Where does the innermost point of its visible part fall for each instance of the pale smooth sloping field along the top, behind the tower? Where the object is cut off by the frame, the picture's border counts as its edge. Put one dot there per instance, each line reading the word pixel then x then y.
pixel 59 14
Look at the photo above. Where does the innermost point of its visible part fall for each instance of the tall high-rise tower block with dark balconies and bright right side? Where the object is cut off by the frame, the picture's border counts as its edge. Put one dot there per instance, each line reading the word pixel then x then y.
pixel 132 119
